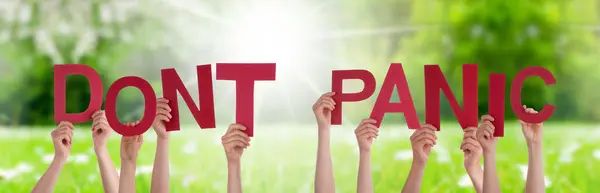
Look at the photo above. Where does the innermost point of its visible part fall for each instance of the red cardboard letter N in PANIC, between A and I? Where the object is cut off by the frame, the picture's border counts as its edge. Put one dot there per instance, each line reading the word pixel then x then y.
pixel 435 81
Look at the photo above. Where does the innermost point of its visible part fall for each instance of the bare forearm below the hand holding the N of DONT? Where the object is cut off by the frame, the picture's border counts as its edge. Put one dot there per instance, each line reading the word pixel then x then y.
pixel 160 172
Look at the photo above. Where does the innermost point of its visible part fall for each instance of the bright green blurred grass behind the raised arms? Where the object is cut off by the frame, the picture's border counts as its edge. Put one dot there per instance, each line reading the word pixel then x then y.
pixel 281 159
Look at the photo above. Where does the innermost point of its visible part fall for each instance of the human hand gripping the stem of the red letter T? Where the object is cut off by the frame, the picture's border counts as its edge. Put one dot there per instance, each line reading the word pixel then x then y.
pixel 234 142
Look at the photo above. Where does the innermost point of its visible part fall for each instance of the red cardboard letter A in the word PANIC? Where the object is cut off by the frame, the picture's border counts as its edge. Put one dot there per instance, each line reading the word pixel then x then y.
pixel 395 77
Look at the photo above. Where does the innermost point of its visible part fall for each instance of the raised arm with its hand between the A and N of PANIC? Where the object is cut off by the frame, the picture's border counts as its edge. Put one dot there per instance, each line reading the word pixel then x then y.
pixel 422 141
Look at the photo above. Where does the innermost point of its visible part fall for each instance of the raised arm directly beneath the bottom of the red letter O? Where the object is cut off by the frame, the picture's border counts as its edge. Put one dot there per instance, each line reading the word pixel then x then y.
pixel 130 147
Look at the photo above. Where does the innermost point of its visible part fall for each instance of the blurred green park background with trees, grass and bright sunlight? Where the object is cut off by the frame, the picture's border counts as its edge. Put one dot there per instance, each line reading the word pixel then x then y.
pixel 307 39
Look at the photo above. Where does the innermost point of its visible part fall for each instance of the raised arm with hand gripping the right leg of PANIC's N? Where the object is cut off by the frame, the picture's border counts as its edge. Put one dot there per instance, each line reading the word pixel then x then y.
pixel 472 151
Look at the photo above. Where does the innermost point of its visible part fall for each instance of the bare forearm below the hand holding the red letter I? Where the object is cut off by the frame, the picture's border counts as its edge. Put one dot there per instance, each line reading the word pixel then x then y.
pixel 491 183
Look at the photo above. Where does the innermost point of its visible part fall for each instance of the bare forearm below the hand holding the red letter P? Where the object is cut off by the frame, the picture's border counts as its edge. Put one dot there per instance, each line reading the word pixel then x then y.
pixel 324 180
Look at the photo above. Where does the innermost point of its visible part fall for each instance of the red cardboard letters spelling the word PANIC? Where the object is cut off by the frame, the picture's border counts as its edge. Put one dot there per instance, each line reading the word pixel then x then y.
pixel 434 83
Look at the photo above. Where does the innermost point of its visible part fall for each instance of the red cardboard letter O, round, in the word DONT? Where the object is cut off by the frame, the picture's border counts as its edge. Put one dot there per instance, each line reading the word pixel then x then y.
pixel 149 106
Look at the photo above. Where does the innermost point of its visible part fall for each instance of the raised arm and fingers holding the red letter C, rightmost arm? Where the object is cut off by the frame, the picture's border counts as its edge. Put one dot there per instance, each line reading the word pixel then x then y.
pixel 535 171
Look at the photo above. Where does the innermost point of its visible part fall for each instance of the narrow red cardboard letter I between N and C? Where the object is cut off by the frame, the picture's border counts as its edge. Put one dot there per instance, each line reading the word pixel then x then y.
pixel 496 102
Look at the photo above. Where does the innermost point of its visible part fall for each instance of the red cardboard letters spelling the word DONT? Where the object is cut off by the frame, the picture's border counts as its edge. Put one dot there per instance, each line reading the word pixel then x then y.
pixel 245 74
